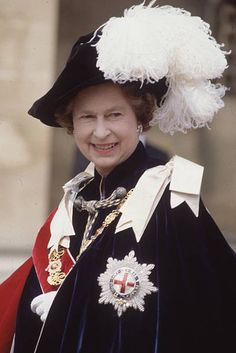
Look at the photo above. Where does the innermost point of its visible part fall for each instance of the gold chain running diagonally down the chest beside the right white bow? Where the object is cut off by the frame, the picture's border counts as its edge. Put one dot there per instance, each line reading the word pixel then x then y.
pixel 107 221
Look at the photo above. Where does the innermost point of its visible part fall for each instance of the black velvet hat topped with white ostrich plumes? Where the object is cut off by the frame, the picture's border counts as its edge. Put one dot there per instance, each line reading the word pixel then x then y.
pixel 154 45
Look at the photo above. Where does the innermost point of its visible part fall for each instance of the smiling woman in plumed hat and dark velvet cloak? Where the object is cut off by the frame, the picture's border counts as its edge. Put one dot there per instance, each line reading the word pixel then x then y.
pixel 130 261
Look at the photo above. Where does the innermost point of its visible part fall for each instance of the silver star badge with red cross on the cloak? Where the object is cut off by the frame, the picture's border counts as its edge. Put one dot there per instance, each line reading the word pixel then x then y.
pixel 125 283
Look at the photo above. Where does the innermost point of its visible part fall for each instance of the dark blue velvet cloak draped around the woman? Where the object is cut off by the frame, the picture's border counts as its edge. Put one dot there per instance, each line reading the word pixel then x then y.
pixel 194 310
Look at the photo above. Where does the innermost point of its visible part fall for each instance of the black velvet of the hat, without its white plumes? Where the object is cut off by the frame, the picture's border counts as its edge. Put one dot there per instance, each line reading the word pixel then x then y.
pixel 80 72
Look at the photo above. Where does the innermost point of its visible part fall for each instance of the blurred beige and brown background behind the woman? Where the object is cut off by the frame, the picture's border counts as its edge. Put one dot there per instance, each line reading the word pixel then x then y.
pixel 35 160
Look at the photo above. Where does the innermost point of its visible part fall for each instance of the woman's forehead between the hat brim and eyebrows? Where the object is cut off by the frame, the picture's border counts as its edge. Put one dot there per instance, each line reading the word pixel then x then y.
pixel 102 96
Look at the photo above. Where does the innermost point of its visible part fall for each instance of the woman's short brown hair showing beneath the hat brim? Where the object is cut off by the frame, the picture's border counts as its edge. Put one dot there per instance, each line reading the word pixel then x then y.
pixel 142 103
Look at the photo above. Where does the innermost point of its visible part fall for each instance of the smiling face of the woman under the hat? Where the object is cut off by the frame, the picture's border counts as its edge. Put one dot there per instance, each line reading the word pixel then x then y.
pixel 105 126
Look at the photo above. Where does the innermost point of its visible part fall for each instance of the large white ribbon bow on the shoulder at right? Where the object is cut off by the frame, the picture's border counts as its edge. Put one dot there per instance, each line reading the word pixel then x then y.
pixel 185 182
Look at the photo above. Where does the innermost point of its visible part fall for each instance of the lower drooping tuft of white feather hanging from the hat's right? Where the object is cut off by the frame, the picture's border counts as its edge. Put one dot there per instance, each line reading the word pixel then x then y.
pixel 187 106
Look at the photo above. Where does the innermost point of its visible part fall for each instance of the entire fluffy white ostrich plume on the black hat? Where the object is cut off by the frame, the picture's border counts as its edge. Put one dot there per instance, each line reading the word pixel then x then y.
pixel 151 42
